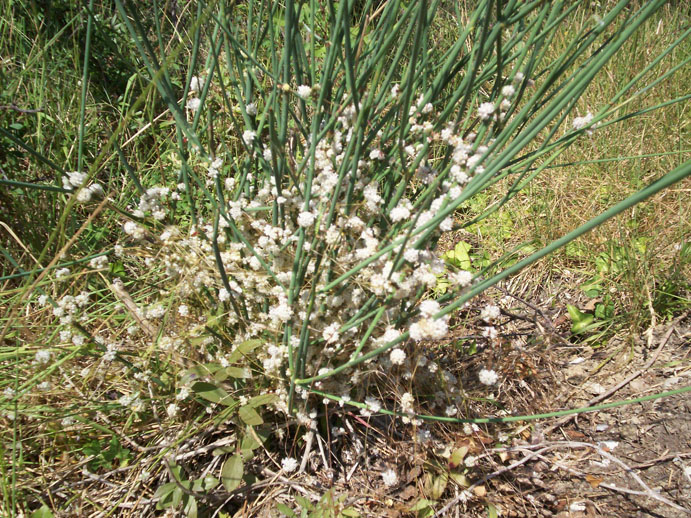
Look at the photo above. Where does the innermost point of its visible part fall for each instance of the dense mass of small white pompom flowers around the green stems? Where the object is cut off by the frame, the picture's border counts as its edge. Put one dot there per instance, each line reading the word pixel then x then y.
pixel 278 276
